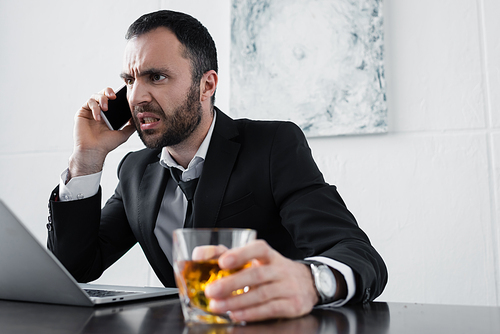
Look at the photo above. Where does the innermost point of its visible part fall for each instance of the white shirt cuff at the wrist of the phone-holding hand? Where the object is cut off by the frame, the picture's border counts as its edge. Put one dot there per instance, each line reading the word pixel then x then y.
pixel 79 187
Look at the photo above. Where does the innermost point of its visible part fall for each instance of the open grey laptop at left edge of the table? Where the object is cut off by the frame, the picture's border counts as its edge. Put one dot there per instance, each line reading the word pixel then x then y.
pixel 30 272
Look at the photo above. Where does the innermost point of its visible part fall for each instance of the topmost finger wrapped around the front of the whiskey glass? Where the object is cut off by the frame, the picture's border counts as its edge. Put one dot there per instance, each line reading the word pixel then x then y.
pixel 237 257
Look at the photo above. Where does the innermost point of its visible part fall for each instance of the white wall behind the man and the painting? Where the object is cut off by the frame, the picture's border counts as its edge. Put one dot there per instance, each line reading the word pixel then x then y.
pixel 427 193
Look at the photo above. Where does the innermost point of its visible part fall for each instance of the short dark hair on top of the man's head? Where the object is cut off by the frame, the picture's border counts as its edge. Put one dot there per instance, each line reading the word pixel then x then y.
pixel 199 45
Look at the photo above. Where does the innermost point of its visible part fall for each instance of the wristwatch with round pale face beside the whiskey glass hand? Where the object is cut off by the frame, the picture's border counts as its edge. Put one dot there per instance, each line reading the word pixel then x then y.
pixel 324 280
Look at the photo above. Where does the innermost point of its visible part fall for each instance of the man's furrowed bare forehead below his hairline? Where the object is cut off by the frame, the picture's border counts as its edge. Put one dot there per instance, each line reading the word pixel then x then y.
pixel 158 48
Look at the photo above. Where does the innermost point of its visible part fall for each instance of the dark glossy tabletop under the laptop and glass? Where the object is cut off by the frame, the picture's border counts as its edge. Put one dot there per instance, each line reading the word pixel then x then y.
pixel 165 316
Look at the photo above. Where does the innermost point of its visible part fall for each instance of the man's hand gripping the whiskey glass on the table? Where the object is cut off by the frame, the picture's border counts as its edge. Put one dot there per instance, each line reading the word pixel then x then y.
pixel 279 287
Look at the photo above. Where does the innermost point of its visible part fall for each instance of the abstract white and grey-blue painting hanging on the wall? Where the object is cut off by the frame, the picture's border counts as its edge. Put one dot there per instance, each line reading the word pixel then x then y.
pixel 318 63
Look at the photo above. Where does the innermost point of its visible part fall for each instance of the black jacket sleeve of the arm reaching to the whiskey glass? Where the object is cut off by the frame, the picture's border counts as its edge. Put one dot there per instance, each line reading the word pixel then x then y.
pixel 316 216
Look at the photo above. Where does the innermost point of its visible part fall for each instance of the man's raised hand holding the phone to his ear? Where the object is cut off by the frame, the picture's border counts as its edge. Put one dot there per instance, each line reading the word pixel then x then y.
pixel 93 140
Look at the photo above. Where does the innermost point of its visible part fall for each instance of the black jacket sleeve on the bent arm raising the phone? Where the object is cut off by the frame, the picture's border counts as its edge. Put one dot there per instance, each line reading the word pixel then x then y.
pixel 86 239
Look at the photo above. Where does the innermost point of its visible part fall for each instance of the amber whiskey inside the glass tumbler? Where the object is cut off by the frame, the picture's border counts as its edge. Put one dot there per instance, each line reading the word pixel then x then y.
pixel 197 275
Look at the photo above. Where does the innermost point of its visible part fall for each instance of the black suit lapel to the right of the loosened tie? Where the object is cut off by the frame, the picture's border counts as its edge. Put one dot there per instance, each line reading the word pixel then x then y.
pixel 217 168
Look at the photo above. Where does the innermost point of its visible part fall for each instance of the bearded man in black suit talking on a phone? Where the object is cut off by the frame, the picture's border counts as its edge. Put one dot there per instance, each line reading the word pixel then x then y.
pixel 250 174
